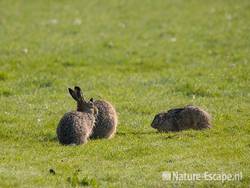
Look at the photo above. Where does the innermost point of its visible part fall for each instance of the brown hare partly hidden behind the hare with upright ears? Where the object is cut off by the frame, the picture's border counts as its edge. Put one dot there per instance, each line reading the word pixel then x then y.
pixel 106 121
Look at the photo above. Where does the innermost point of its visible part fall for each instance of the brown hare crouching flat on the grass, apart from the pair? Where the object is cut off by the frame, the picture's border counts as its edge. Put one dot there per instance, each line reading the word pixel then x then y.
pixel 188 117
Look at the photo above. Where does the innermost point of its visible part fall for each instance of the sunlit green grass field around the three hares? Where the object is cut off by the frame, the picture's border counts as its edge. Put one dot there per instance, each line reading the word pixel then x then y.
pixel 144 57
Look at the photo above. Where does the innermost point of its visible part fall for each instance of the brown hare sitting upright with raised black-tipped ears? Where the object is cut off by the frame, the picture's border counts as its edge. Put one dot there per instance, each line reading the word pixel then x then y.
pixel 75 127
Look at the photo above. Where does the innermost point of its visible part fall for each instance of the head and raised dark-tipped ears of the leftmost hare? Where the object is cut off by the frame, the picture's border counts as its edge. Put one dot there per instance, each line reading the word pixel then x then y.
pixel 82 104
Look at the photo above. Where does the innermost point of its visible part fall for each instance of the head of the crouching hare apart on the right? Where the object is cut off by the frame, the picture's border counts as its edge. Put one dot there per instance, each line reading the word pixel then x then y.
pixel 163 122
